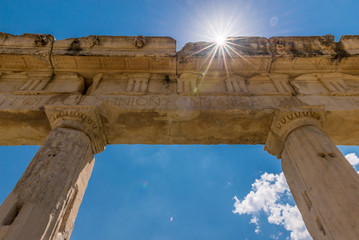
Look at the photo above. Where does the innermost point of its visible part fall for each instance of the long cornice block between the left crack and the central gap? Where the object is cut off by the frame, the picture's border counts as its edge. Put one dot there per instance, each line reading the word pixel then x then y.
pixel 92 54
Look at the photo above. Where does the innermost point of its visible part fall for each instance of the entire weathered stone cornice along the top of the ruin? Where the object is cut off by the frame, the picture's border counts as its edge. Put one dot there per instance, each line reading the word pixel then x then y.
pixel 94 54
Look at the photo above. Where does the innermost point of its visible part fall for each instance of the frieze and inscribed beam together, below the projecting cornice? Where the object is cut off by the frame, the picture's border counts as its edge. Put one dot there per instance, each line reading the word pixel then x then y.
pixel 154 96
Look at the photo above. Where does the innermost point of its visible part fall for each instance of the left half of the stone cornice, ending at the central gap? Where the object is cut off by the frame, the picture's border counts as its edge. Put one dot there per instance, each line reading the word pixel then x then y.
pixel 87 55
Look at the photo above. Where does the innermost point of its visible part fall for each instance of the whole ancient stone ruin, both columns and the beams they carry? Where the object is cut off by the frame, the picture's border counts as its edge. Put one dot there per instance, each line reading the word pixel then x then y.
pixel 297 95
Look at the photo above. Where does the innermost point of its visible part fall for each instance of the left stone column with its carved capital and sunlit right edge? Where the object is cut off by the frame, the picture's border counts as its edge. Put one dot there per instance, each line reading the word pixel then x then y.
pixel 45 201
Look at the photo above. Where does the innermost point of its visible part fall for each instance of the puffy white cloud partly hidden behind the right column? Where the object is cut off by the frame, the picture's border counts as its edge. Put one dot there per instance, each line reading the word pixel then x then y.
pixel 268 195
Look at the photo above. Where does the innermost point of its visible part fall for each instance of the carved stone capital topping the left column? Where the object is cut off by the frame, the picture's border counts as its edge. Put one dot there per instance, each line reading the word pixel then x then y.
pixel 82 118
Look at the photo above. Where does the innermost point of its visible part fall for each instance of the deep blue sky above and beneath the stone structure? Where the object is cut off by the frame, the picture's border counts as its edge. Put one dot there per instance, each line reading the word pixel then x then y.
pixel 177 192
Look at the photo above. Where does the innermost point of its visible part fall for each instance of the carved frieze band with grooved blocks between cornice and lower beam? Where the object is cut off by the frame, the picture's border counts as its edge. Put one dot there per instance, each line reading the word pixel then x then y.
pixel 190 84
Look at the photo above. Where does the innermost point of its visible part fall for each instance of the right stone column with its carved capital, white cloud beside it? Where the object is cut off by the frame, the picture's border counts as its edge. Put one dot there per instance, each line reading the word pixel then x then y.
pixel 324 185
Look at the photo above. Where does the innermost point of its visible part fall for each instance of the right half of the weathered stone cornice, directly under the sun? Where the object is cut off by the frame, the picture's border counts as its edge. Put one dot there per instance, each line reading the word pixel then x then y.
pixel 289 55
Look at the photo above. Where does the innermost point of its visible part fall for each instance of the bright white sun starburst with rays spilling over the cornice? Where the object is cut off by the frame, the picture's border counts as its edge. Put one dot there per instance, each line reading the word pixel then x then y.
pixel 215 25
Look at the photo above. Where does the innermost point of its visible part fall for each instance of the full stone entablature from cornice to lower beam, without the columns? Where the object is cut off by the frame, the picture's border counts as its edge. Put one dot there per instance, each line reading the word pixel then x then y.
pixel 146 92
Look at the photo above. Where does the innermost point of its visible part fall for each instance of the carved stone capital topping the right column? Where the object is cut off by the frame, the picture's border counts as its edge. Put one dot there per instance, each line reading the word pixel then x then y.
pixel 285 121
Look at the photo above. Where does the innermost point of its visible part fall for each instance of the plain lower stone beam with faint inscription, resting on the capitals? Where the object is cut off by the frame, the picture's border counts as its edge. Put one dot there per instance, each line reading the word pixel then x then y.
pixel 172 119
